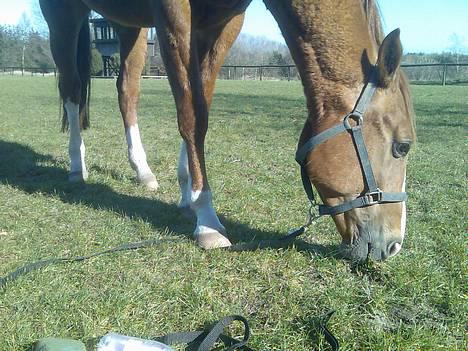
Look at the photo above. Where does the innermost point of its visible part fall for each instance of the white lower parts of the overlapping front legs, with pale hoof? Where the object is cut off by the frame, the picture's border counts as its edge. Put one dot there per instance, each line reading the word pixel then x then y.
pixel 209 232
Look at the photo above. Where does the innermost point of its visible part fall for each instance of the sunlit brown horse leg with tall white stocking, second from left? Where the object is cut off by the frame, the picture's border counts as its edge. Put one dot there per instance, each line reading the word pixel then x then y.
pixel 132 55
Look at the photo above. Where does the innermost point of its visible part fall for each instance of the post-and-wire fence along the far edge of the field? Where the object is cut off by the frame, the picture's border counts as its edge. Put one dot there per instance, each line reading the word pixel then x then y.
pixel 427 73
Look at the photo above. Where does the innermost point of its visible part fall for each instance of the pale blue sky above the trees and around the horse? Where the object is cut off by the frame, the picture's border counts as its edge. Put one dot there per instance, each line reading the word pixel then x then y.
pixel 426 25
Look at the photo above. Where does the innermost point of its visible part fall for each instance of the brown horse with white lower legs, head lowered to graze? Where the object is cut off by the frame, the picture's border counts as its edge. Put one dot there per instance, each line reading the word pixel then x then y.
pixel 346 69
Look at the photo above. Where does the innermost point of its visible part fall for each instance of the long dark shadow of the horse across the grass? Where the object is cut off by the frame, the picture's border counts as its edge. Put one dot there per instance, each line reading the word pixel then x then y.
pixel 20 167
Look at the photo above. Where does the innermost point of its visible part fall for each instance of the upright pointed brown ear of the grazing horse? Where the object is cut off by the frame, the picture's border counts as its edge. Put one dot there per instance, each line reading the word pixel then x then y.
pixel 390 54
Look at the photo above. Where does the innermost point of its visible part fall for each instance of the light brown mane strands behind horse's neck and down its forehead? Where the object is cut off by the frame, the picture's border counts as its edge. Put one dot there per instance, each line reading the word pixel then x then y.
pixel 374 19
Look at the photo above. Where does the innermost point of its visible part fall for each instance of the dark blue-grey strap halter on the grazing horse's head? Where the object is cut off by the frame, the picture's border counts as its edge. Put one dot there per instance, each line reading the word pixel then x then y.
pixel 373 195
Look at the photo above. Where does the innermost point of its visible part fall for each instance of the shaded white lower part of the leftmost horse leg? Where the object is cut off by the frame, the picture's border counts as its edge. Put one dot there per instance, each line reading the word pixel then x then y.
pixel 76 148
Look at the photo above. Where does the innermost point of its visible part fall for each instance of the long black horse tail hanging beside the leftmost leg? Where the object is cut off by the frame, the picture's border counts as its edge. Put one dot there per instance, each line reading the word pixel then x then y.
pixel 83 61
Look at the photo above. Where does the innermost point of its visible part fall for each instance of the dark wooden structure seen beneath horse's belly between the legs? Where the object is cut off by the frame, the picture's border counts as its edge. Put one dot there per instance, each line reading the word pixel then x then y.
pixel 106 41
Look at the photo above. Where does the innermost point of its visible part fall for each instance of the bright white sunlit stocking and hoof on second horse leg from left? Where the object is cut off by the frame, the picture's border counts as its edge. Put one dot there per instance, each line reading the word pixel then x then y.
pixel 137 158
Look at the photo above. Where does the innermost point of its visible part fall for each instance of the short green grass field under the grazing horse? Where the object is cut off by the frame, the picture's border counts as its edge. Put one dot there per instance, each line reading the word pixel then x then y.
pixel 415 301
